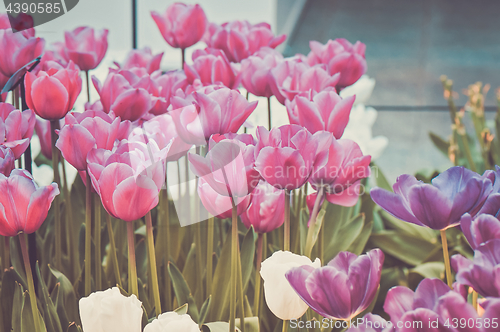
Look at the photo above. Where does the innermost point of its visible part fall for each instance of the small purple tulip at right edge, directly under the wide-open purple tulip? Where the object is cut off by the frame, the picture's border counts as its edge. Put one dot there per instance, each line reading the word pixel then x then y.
pixel 480 230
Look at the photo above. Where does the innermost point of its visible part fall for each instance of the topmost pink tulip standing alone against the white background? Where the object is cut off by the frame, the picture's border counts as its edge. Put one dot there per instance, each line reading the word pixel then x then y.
pixel 181 25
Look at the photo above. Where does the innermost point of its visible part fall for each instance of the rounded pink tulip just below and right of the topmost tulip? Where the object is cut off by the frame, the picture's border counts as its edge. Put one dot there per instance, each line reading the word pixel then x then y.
pixel 211 66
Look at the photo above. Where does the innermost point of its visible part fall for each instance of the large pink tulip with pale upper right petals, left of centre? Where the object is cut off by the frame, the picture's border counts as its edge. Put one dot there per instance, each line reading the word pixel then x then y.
pixel 128 180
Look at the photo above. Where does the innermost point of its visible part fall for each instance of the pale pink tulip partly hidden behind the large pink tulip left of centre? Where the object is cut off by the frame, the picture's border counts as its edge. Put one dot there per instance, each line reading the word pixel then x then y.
pixel 161 129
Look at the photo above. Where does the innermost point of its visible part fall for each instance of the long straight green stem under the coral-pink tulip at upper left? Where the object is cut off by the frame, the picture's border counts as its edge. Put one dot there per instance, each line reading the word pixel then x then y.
pixel 54 125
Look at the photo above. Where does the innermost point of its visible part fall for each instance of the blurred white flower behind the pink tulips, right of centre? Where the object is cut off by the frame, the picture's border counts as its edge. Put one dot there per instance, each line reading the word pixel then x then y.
pixel 359 129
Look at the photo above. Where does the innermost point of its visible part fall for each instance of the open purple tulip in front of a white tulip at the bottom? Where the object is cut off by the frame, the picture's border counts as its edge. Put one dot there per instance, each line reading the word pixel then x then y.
pixel 343 288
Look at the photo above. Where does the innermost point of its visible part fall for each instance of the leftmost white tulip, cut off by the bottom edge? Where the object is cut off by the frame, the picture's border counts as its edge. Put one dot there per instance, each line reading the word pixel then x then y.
pixel 109 310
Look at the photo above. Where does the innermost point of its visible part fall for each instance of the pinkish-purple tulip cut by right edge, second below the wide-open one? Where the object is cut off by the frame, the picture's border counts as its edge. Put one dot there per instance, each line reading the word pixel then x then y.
pixel 483 272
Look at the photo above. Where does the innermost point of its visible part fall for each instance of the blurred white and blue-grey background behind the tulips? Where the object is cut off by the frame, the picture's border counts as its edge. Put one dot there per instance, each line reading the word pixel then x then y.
pixel 409 45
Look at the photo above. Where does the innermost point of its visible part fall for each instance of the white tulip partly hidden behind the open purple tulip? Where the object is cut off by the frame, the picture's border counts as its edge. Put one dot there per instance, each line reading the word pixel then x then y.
pixel 280 297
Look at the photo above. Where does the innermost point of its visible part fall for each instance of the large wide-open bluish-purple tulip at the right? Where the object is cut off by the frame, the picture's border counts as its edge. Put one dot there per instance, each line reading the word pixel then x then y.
pixel 438 206
